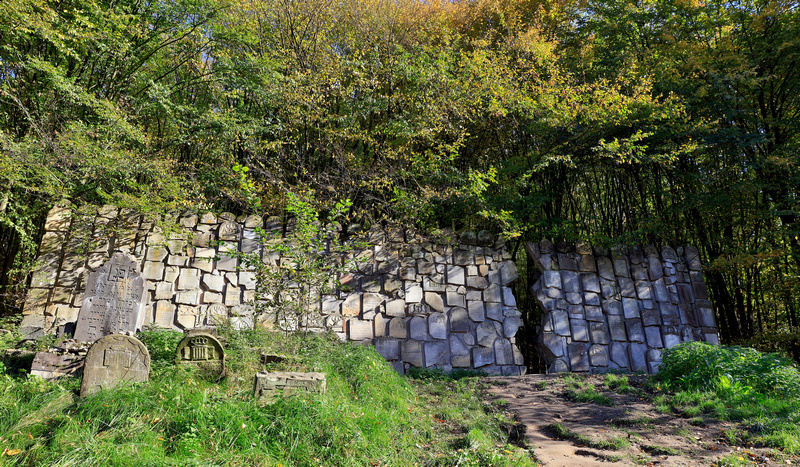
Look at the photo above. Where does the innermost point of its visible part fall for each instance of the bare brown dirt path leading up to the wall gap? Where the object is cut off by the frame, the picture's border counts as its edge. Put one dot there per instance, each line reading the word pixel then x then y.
pixel 653 438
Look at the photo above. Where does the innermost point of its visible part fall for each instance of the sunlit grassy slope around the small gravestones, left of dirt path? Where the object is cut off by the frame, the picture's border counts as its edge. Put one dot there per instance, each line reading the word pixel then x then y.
pixel 369 415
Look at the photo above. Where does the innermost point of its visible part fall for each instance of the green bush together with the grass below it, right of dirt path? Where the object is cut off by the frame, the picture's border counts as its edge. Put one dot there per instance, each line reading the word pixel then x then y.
pixel 758 391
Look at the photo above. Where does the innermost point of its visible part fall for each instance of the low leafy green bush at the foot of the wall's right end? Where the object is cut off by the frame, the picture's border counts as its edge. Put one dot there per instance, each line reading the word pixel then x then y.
pixel 703 366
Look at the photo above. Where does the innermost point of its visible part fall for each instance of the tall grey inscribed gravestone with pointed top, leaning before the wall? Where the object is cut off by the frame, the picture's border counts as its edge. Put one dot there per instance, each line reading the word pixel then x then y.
pixel 114 301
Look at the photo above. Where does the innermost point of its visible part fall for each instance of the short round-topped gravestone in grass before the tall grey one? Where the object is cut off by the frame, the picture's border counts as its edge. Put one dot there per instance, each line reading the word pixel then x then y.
pixel 113 360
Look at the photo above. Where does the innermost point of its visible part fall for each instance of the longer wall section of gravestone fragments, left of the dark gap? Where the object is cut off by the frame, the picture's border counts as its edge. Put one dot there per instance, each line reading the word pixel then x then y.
pixel 422 302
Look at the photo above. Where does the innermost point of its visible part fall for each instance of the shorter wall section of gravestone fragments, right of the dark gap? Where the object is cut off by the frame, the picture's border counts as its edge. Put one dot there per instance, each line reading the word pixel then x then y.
pixel 620 310
